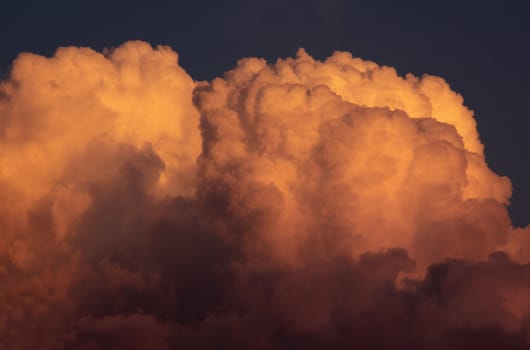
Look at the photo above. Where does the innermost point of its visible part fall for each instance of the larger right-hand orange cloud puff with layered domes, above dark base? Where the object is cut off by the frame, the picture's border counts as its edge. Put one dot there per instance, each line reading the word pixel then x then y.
pixel 326 156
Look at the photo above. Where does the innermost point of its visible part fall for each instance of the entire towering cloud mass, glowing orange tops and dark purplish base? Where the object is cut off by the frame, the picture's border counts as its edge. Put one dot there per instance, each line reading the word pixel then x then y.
pixel 303 204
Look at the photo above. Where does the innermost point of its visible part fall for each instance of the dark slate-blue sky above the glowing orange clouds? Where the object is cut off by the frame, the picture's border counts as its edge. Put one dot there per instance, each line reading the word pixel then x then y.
pixel 481 48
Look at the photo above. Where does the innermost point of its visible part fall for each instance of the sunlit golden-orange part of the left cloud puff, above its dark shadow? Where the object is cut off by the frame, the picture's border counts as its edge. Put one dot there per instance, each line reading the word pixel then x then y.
pixel 53 109
